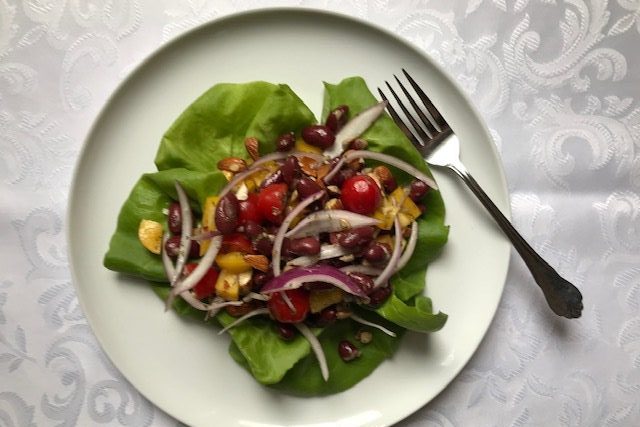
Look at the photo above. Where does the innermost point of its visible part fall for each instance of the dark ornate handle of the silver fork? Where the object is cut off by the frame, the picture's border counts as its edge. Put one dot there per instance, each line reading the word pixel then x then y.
pixel 563 297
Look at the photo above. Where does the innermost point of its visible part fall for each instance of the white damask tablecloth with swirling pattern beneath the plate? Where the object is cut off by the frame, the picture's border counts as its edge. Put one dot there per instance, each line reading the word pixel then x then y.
pixel 558 83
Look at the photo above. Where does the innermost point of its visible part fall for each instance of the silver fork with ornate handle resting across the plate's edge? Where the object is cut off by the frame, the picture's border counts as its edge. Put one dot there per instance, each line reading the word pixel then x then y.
pixel 440 146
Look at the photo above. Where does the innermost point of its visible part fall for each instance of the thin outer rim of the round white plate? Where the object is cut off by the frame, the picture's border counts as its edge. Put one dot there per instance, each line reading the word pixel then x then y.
pixel 240 15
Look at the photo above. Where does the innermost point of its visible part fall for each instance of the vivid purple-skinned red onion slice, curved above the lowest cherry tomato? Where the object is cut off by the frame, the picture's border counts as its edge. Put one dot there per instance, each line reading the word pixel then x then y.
pixel 296 277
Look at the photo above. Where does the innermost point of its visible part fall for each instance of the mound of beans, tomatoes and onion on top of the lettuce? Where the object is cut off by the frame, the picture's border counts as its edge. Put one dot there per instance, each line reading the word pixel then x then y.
pixel 297 235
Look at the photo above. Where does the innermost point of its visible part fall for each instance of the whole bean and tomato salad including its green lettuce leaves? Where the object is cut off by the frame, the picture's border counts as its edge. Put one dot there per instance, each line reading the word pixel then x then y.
pixel 306 241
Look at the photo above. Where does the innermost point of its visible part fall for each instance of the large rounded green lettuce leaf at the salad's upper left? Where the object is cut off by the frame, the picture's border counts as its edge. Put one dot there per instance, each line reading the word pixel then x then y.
pixel 215 125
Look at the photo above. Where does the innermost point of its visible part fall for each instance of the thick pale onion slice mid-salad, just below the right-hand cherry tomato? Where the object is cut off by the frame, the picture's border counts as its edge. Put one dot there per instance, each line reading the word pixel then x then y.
pixel 329 221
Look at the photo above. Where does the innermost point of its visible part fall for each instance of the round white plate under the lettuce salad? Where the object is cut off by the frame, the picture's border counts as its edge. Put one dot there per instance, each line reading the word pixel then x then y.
pixel 185 369
